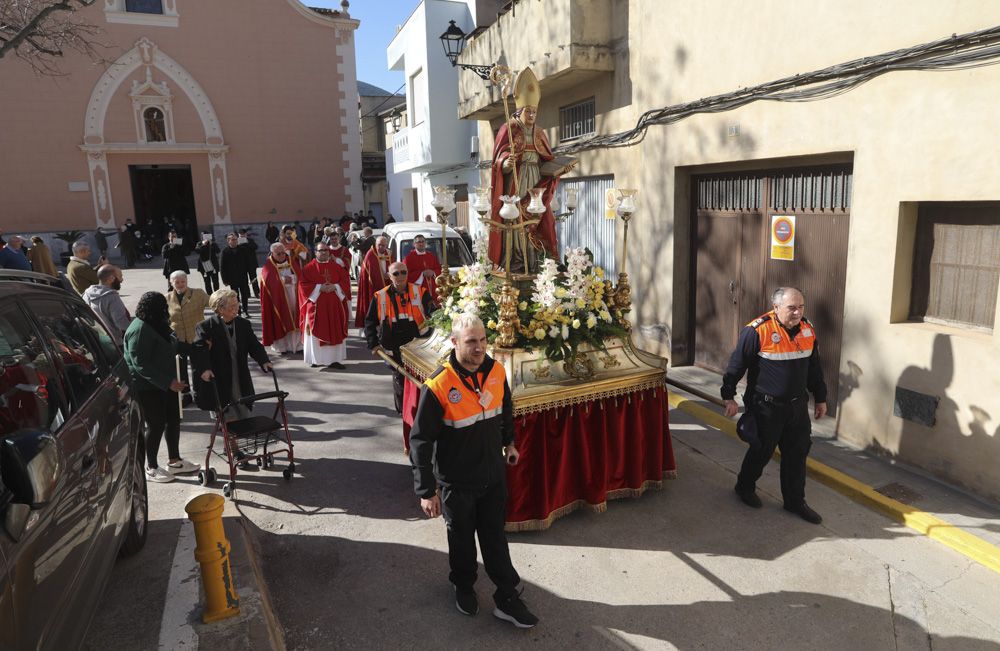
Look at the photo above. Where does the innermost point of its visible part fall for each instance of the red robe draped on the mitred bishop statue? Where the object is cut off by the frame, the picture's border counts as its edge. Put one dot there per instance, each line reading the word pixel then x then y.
pixel 545 231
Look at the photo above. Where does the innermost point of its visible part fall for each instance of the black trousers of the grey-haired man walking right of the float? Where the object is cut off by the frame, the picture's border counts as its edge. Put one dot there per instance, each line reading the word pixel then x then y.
pixel 785 426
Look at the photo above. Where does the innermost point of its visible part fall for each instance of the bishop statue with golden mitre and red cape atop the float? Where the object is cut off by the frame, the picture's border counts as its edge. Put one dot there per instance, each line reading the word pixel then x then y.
pixel 523 160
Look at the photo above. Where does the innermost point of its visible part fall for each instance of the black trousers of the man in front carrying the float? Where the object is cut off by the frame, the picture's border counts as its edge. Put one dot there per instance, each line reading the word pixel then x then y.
pixel 471 512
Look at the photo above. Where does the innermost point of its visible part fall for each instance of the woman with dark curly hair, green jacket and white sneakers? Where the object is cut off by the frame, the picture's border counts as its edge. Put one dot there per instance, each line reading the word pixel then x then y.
pixel 149 354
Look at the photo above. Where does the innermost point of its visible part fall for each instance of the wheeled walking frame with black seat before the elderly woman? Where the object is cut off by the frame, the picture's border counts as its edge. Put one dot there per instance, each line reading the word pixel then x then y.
pixel 250 439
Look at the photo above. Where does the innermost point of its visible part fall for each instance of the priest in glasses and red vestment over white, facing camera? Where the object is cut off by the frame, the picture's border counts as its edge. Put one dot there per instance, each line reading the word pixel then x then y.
pixel 323 318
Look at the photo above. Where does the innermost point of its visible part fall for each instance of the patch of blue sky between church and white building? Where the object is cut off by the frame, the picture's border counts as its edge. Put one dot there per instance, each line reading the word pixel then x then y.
pixel 379 19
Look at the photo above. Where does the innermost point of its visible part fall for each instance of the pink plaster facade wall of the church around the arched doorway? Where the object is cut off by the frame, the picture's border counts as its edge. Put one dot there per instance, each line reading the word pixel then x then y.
pixel 273 76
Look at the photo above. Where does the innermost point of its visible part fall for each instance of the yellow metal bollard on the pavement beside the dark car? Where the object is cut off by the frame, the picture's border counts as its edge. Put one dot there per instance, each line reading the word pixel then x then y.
pixel 212 553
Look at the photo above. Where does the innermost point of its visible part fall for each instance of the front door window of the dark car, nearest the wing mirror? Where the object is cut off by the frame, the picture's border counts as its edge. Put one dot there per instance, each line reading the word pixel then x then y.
pixel 31 391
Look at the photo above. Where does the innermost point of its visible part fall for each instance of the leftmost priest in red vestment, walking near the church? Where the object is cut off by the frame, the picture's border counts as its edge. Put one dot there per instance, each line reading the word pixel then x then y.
pixel 279 304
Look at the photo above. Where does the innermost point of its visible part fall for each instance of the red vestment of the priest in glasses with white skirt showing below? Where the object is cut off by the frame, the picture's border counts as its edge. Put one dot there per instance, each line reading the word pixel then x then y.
pixel 325 319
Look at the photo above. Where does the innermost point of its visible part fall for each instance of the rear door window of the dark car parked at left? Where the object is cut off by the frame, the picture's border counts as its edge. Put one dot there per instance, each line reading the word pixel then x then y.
pixel 67 339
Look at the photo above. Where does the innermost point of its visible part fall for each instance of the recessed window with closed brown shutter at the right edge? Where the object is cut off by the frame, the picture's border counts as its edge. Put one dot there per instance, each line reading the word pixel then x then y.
pixel 956 264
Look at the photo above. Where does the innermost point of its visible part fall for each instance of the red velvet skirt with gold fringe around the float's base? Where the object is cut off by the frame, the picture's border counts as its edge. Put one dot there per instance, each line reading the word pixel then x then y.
pixel 581 456
